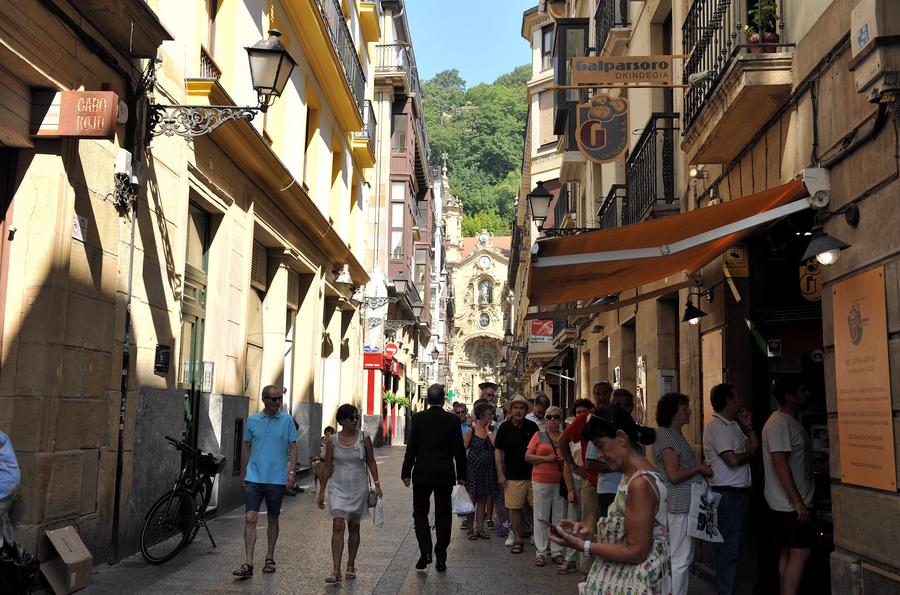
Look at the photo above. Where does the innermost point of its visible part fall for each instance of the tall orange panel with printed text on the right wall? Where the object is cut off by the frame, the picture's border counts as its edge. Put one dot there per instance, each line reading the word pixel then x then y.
pixel 863 382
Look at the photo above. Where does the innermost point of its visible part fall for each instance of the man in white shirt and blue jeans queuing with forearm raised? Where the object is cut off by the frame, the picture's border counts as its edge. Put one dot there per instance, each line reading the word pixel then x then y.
pixel 729 442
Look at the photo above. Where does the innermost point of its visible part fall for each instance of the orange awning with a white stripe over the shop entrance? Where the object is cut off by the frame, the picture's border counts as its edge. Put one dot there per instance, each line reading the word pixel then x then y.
pixel 600 263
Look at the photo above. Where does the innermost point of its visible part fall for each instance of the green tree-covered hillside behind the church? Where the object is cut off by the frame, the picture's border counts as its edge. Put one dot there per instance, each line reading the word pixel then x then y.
pixel 482 130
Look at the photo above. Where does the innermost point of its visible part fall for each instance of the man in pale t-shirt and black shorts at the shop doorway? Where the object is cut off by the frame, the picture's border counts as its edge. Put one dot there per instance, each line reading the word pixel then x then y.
pixel 787 457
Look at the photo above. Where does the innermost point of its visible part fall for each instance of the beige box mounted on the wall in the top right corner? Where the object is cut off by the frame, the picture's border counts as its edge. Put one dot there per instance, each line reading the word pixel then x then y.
pixel 875 47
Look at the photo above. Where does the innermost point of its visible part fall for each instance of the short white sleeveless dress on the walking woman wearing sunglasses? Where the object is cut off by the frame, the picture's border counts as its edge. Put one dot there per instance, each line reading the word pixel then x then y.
pixel 348 486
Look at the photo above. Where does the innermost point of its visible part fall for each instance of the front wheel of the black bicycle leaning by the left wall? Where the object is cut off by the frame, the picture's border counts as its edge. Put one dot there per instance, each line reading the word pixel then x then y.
pixel 167 526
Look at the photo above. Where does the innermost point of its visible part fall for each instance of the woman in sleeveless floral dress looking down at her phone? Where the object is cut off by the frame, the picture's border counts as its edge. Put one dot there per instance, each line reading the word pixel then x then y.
pixel 631 543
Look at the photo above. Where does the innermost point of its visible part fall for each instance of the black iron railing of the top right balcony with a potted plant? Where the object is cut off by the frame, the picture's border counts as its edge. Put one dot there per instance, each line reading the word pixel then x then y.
pixel 712 35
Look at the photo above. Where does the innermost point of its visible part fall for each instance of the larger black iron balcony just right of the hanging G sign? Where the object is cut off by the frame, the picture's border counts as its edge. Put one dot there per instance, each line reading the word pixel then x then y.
pixel 650 171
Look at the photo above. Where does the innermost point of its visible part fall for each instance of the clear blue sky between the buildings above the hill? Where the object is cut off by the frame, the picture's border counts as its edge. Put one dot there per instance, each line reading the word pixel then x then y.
pixel 480 38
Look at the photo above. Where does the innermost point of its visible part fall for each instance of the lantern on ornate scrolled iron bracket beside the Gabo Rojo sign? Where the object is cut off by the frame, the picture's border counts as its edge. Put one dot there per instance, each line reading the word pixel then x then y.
pixel 270 68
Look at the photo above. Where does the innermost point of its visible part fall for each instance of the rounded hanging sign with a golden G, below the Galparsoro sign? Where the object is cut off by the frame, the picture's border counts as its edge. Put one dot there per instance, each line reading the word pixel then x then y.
pixel 602 128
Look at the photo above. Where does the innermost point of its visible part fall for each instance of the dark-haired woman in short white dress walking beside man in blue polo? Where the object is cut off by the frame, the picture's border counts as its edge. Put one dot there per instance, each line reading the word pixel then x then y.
pixel 348 459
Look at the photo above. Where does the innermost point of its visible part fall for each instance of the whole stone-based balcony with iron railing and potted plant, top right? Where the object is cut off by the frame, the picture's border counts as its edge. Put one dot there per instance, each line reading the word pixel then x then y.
pixel 745 84
